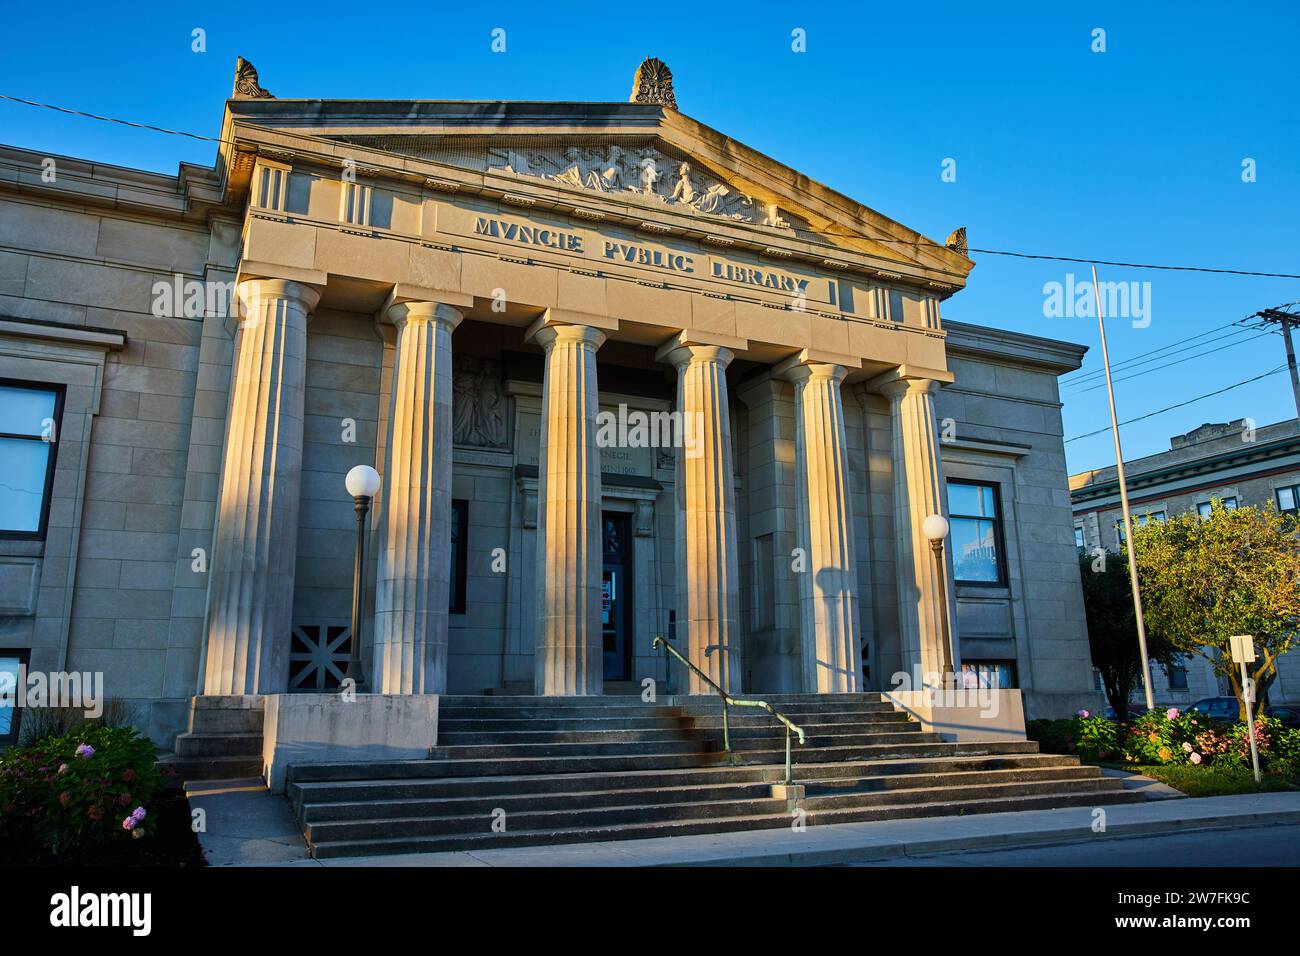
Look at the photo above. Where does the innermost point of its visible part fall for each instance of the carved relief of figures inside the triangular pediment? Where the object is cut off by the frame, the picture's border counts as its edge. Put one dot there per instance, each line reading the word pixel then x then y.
pixel 645 174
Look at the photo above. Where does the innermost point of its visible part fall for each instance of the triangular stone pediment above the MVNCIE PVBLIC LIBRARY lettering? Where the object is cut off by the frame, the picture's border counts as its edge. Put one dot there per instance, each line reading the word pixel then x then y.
pixel 649 159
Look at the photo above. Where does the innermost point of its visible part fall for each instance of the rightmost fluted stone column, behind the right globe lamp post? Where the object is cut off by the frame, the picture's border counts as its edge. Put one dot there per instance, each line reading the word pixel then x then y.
pixel 918 491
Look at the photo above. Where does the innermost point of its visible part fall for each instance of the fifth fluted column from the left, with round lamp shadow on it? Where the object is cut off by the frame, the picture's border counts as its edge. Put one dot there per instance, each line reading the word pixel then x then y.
pixel 831 635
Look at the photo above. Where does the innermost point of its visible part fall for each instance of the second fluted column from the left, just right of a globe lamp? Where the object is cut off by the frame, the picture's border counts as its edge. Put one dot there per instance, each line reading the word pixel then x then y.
pixel 415 546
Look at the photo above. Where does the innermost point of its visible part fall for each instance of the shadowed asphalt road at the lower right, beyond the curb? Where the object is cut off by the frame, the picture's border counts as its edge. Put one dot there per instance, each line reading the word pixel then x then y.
pixel 1260 846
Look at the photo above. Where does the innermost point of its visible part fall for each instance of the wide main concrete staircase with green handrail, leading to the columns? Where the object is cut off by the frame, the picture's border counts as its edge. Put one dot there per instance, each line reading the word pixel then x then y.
pixel 553 771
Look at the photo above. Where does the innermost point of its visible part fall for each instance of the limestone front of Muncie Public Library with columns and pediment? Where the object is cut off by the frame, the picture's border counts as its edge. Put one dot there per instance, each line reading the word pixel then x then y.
pixel 487 302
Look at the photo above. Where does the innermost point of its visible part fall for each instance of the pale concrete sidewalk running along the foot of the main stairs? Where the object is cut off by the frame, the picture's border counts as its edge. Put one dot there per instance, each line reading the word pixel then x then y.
pixel 250 828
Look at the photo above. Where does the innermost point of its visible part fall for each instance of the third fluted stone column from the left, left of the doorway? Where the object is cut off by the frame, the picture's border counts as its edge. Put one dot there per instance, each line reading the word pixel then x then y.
pixel 569 659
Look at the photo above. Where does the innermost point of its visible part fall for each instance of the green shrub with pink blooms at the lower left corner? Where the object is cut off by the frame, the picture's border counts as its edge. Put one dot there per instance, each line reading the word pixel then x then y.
pixel 79 790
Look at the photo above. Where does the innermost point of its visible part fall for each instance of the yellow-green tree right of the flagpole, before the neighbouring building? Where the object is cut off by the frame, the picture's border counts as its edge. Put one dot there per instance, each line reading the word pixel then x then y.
pixel 1204 581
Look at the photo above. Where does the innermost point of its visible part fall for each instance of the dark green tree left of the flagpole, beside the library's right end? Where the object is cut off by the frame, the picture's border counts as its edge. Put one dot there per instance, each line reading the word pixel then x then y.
pixel 1108 603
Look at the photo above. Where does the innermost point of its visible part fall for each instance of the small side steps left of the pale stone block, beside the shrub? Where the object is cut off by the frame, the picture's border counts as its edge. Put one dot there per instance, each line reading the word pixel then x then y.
pixel 224 741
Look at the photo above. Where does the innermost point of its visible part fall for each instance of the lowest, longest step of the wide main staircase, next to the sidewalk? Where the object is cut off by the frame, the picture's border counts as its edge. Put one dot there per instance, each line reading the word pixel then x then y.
pixel 324 849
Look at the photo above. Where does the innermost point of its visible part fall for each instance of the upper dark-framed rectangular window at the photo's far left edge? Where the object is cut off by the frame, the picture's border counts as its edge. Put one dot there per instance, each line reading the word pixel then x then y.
pixel 29 444
